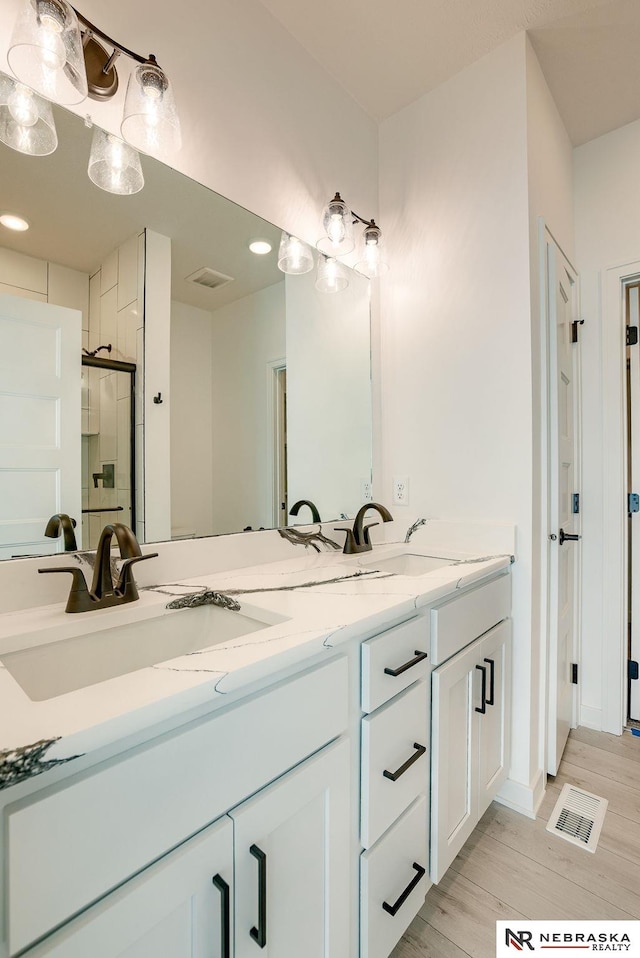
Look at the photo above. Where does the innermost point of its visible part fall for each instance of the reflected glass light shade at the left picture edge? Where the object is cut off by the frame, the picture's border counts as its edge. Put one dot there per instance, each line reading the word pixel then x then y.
pixel 26 120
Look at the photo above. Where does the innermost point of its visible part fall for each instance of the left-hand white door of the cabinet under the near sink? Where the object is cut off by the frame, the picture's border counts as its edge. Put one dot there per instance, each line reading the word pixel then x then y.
pixel 180 907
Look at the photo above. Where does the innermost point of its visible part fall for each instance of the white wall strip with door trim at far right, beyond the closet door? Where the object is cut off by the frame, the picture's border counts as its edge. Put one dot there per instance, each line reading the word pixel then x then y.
pixel 607 236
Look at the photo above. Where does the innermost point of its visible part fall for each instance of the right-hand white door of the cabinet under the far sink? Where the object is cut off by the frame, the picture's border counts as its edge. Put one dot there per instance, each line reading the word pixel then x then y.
pixel 494 729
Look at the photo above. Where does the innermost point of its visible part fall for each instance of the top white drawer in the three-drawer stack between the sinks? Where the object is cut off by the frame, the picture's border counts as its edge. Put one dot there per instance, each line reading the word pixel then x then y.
pixel 403 651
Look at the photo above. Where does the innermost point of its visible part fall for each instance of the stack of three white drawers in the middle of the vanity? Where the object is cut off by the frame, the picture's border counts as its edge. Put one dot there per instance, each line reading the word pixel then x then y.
pixel 394 812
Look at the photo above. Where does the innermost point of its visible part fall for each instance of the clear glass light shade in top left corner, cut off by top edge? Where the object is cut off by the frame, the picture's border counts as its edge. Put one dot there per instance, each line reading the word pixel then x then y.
pixel 45 51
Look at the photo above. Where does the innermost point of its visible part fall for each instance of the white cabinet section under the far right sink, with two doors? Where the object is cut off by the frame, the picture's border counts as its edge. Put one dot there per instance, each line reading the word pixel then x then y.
pixel 470 729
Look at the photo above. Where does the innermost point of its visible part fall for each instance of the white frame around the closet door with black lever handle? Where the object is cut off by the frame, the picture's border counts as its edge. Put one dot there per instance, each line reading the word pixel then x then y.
pixel 546 241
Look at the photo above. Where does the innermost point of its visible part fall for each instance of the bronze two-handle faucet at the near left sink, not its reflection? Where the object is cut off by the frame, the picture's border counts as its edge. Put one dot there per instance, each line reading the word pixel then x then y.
pixel 103 593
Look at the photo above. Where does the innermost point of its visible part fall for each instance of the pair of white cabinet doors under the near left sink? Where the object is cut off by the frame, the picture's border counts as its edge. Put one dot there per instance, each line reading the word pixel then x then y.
pixel 271 875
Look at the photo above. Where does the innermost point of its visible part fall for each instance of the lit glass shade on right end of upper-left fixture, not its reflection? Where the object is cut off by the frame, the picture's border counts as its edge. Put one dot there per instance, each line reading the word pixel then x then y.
pixel 150 121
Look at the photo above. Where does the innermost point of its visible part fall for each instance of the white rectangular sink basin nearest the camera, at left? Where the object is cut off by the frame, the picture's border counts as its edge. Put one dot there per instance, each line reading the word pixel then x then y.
pixel 44 671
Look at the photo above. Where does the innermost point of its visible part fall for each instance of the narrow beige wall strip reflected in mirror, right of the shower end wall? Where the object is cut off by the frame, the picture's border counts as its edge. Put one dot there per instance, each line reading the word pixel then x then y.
pixel 191 421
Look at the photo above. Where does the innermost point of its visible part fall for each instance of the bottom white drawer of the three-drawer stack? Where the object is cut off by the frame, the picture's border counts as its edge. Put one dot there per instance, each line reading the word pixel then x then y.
pixel 391 872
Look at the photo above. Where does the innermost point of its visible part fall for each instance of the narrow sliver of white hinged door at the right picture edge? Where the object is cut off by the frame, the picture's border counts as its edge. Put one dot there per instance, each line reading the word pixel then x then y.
pixel 633 408
